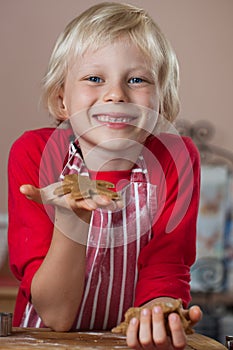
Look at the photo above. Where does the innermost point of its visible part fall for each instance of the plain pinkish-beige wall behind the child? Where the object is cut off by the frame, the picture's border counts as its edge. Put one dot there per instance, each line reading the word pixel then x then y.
pixel 200 31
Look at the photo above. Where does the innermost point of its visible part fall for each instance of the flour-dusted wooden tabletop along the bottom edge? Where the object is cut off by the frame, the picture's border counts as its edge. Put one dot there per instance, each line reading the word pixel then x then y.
pixel 43 339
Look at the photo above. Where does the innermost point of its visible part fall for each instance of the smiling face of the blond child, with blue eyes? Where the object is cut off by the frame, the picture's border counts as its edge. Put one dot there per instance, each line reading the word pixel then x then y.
pixel 111 94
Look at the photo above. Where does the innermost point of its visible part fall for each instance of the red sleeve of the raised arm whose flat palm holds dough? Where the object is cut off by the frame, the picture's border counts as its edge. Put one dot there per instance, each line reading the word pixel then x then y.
pixel 30 224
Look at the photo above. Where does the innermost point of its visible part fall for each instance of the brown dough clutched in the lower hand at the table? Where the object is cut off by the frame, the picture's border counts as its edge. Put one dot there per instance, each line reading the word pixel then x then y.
pixel 167 307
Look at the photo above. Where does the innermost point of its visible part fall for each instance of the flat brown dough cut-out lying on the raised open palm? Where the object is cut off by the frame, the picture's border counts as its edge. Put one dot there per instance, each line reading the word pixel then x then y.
pixel 82 187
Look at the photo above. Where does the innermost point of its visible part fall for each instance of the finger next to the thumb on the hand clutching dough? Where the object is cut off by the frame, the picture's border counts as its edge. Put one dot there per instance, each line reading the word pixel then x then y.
pixel 177 331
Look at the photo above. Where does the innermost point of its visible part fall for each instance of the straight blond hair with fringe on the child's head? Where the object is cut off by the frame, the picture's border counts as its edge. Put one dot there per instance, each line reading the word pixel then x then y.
pixel 107 22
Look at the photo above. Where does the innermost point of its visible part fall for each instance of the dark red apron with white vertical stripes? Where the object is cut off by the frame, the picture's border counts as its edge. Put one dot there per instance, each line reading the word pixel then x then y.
pixel 115 240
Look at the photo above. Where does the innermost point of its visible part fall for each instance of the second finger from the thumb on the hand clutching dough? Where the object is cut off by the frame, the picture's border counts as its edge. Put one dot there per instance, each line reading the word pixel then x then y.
pixel 159 331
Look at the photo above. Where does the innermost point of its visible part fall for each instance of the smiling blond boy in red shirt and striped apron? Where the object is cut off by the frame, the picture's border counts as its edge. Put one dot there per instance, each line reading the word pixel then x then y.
pixel 111 84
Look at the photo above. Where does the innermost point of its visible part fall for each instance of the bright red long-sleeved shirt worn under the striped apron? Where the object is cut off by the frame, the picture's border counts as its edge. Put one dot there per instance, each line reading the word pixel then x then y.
pixel 163 264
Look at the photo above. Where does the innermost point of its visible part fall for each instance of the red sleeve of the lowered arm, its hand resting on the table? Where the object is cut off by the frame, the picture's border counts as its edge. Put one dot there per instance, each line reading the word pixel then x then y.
pixel 164 264
